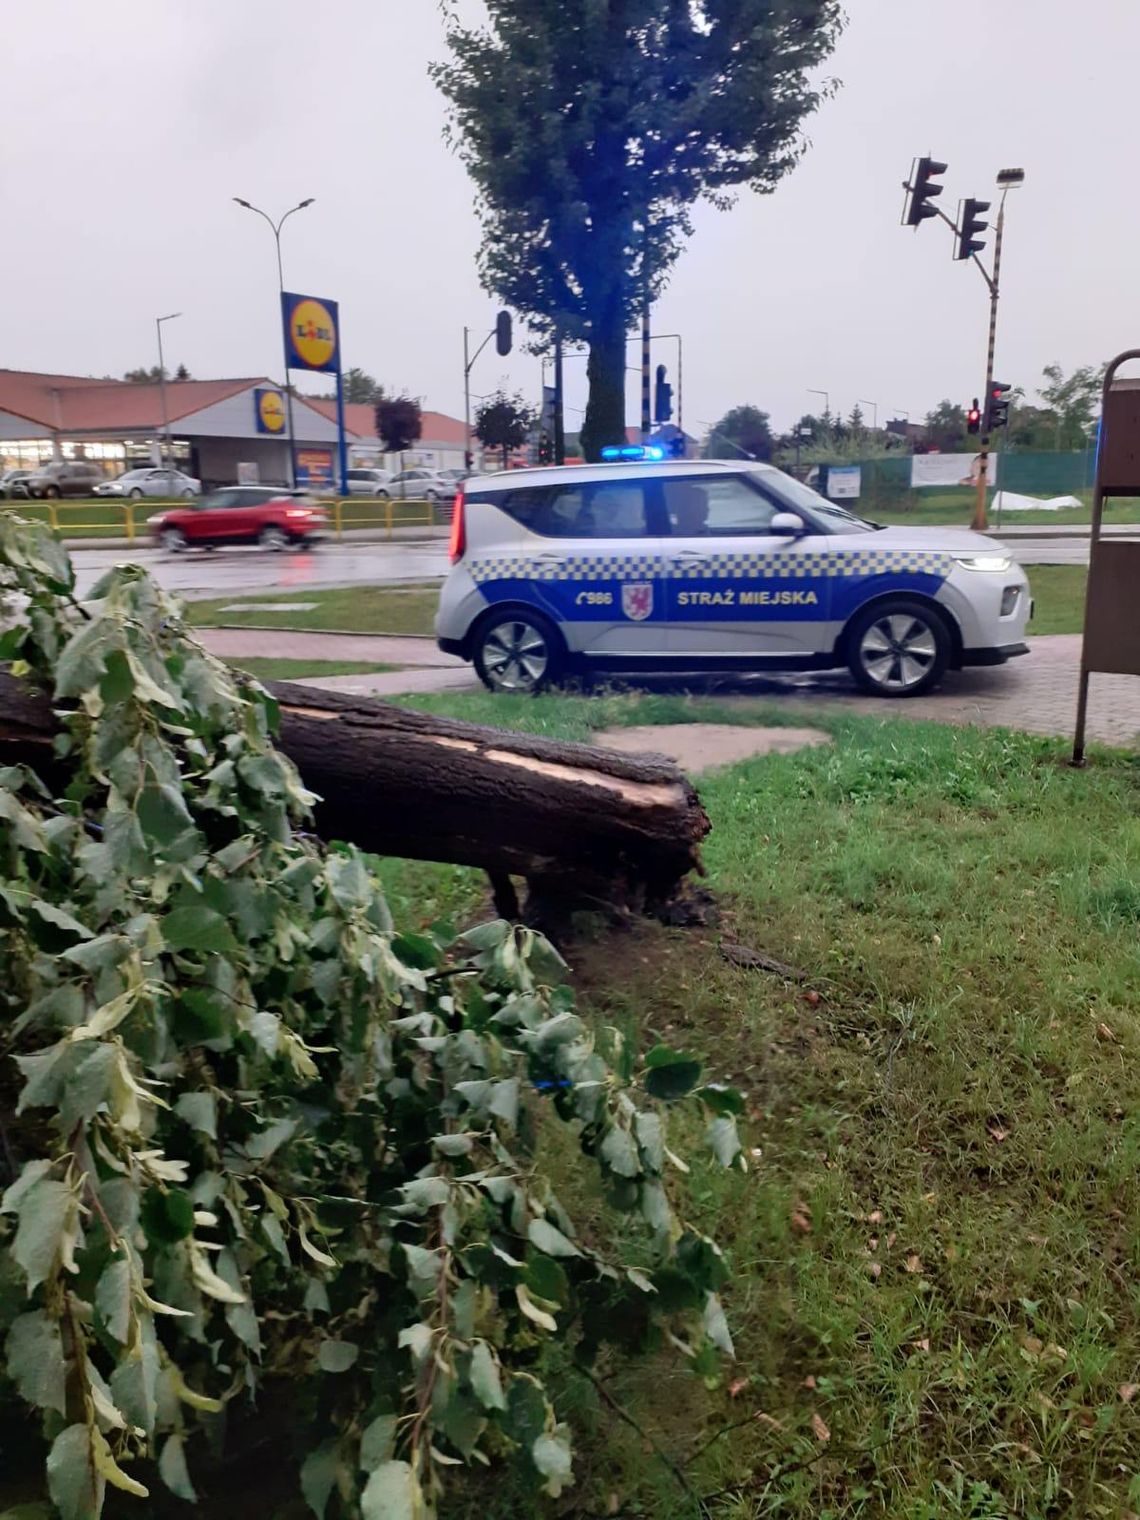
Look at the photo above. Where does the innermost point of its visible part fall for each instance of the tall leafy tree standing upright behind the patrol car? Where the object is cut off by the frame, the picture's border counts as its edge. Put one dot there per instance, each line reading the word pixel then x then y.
pixel 592 127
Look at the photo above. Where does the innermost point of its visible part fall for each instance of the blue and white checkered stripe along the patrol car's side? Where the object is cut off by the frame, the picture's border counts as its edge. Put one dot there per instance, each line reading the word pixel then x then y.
pixel 744 566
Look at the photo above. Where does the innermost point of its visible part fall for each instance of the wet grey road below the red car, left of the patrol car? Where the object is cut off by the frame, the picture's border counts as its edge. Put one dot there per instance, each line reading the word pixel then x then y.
pixel 253 572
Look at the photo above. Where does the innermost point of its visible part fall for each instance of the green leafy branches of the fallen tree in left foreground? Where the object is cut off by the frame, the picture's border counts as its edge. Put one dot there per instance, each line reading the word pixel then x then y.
pixel 261 1138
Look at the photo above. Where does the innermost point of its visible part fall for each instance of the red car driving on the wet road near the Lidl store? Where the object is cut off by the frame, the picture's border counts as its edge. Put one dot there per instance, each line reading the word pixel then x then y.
pixel 242 515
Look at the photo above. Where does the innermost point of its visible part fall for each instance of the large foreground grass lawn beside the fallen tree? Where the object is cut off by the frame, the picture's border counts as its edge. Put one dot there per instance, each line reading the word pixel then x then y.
pixel 936 1253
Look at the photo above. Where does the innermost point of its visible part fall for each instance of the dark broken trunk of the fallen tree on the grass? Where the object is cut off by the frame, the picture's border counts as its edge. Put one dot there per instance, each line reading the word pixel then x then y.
pixel 571 819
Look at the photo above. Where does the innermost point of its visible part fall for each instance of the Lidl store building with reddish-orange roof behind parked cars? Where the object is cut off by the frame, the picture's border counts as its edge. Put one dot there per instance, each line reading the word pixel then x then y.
pixel 221 431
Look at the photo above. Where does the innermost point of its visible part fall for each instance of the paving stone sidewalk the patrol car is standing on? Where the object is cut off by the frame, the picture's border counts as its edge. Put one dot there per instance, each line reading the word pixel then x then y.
pixel 1036 692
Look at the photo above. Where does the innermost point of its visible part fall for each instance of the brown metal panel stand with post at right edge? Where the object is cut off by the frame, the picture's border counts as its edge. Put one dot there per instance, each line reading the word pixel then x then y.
pixel 1112 639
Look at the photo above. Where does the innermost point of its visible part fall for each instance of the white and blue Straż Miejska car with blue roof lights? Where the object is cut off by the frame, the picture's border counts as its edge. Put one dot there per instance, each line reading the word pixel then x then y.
pixel 708 566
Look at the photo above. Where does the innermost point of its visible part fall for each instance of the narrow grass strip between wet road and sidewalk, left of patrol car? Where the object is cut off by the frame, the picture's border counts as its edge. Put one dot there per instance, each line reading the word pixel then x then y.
pixel 356 610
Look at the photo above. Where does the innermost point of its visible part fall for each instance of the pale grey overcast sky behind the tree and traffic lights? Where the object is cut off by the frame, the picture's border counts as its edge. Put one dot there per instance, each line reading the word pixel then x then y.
pixel 128 125
